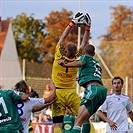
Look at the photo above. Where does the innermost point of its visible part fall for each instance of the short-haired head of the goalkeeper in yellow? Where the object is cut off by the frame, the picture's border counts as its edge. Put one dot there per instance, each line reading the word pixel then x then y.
pixel 70 50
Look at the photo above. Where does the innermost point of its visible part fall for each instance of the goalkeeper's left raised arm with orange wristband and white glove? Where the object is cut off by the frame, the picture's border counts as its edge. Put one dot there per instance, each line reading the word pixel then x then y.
pixel 76 19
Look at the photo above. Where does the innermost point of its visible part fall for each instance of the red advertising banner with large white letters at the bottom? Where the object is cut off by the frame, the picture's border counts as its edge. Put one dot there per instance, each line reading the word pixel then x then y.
pixel 42 128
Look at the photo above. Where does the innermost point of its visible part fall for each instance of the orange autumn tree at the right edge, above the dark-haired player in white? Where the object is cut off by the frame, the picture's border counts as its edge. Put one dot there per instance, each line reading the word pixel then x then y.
pixel 117 45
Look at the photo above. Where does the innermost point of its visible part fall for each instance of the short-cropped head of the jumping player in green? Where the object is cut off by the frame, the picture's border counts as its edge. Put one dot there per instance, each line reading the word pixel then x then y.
pixel 89 49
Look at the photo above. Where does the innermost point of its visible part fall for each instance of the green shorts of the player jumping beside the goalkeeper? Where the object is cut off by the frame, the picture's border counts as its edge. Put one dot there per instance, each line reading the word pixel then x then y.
pixel 94 97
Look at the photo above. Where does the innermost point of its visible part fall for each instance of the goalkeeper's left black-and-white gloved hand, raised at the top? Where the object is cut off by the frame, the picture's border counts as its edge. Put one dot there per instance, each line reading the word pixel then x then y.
pixel 78 18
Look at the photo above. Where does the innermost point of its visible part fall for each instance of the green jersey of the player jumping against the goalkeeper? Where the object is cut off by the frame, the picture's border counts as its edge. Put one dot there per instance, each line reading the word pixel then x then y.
pixel 90 70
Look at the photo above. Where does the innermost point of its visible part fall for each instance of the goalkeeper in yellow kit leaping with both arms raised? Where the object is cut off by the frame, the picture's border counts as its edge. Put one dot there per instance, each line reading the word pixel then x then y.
pixel 64 78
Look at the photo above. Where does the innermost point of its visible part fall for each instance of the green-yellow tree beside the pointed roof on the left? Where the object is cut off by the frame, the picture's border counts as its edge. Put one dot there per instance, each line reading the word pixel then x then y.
pixel 29 35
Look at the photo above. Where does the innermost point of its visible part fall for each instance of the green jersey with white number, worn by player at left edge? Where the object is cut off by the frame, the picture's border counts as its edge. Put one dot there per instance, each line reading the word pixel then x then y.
pixel 9 116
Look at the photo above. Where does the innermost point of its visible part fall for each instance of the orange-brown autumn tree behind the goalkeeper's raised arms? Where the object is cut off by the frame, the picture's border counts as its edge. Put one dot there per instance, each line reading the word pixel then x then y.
pixel 56 22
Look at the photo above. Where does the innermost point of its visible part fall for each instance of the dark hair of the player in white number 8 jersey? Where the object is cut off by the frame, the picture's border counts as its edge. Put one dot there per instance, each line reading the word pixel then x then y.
pixel 21 86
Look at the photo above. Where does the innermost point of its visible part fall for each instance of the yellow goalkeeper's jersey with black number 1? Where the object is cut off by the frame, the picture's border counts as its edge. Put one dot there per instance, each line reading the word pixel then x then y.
pixel 63 77
